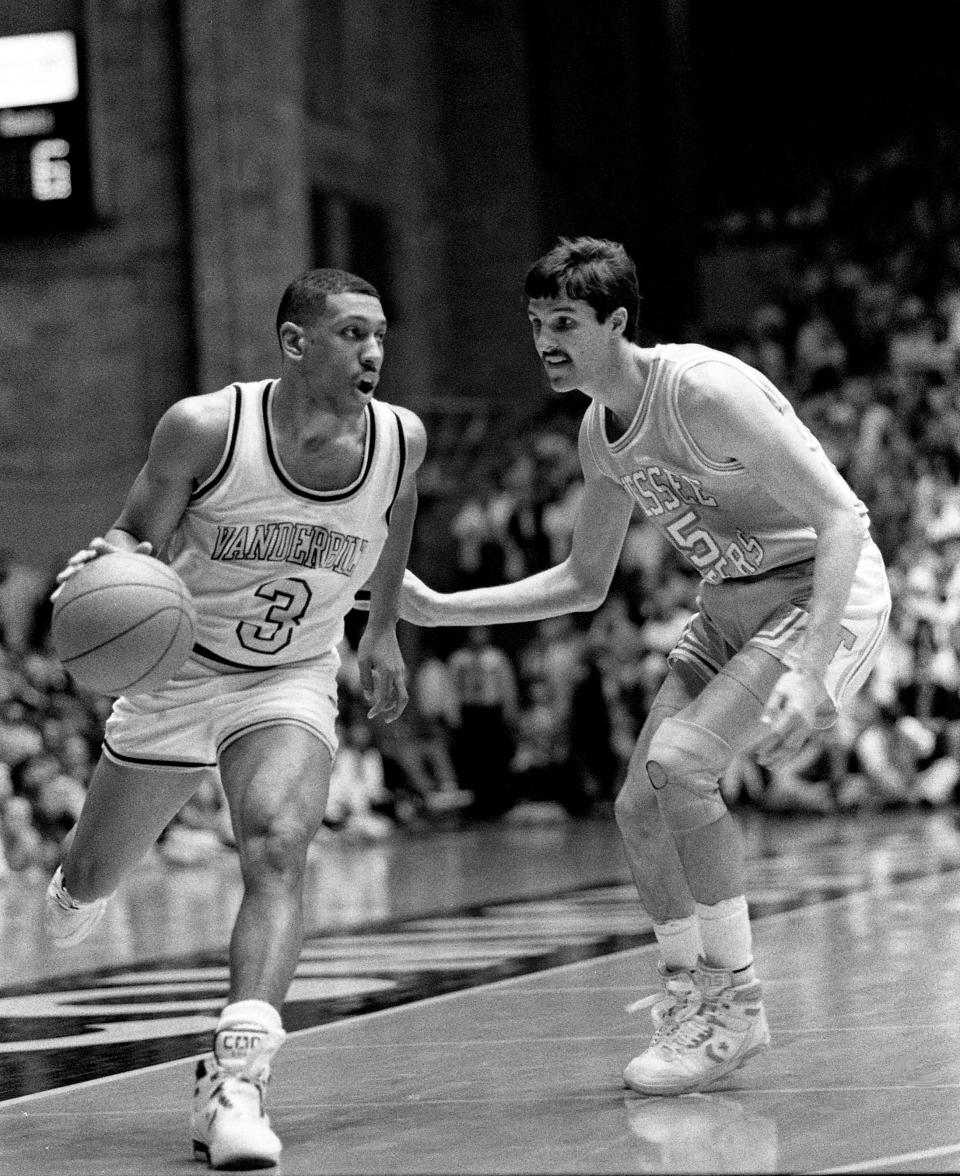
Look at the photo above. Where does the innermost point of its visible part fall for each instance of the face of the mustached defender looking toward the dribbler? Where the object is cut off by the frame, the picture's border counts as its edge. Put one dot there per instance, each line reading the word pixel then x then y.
pixel 572 344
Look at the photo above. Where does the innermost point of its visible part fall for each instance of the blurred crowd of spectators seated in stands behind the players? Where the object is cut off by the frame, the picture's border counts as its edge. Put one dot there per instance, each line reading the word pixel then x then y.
pixel 537 723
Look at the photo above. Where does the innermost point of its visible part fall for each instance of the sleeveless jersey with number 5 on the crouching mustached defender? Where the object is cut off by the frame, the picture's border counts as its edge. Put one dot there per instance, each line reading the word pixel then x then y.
pixel 715 513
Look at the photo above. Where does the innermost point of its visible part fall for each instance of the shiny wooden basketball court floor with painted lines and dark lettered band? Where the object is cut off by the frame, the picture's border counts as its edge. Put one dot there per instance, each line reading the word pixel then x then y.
pixel 461 1007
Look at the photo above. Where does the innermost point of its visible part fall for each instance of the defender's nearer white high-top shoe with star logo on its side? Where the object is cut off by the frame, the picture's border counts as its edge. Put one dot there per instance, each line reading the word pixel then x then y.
pixel 728 1028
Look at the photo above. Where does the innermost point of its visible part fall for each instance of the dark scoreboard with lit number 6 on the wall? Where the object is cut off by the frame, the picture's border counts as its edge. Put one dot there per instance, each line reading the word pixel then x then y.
pixel 45 182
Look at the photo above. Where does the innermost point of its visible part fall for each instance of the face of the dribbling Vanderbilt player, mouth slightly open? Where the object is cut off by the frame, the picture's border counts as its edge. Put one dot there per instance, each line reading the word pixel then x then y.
pixel 342 353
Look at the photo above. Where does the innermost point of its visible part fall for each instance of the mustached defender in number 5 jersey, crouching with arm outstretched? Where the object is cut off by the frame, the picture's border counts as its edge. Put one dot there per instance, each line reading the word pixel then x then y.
pixel 792 611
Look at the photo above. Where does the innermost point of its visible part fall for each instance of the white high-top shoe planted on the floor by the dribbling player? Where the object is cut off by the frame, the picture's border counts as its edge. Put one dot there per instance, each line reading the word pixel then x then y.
pixel 231 1128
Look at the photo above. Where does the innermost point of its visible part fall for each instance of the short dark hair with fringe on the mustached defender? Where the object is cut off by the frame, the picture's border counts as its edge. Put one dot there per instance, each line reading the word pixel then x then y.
pixel 590 270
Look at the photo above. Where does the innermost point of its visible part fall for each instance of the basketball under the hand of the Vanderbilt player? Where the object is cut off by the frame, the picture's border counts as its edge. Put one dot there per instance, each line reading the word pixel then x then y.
pixel 124 624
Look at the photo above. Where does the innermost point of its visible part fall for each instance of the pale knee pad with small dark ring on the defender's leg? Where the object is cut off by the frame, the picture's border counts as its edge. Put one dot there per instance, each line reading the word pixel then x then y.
pixel 685 765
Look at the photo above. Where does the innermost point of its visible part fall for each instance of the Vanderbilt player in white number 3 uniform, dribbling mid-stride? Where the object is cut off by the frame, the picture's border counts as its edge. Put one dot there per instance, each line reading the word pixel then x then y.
pixel 276 502
